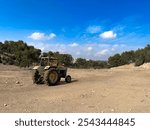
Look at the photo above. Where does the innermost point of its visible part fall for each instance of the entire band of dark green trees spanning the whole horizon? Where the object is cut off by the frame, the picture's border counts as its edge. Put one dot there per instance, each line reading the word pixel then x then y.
pixel 21 54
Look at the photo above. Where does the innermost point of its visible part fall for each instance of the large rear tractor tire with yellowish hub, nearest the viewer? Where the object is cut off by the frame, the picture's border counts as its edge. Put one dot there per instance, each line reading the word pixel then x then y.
pixel 51 77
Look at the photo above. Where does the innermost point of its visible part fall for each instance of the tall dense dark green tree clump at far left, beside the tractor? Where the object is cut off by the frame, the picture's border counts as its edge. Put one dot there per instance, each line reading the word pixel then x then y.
pixel 18 53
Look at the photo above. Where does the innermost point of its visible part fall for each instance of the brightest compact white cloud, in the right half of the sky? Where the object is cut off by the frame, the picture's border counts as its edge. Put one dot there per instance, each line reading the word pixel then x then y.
pixel 108 35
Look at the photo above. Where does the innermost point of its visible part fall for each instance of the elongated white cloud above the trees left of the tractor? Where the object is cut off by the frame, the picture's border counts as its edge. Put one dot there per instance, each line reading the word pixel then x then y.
pixel 41 36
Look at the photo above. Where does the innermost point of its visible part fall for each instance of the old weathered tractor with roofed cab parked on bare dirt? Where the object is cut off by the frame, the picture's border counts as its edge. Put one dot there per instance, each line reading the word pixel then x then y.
pixel 50 72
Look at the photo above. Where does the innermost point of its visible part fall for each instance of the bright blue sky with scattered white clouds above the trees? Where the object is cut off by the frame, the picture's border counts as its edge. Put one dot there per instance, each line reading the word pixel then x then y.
pixel 91 29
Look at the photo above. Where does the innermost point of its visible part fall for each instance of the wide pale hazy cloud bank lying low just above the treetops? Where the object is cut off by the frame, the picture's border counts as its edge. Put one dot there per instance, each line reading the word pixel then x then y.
pixel 95 51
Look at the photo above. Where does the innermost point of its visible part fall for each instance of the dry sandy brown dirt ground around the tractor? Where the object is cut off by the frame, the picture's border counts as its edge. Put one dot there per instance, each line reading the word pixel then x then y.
pixel 122 89
